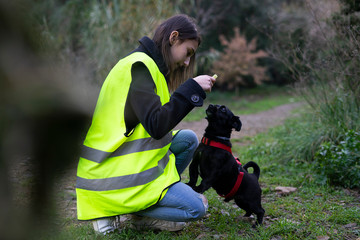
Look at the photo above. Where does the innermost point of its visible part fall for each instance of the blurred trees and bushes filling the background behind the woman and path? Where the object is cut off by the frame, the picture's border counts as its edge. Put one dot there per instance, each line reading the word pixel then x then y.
pixel 311 44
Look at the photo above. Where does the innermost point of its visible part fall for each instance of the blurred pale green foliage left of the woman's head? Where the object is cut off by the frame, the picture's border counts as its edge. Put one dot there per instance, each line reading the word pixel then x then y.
pixel 98 33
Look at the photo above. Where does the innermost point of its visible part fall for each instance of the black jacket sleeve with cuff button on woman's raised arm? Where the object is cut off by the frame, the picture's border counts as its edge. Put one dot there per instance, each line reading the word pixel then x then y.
pixel 143 105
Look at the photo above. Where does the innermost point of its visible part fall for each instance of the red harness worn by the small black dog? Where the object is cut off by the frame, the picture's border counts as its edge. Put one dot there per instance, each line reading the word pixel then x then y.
pixel 213 143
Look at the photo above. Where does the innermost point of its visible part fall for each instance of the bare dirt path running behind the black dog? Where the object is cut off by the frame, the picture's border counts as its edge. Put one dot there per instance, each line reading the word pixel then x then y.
pixel 252 124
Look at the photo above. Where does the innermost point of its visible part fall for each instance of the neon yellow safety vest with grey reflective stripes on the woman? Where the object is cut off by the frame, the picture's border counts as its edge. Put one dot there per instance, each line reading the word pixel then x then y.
pixel 117 174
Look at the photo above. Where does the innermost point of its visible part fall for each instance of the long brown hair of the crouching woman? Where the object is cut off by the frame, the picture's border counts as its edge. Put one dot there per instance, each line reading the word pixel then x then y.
pixel 187 29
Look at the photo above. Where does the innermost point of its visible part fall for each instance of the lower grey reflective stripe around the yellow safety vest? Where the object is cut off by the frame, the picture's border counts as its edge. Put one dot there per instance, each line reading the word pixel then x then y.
pixel 114 183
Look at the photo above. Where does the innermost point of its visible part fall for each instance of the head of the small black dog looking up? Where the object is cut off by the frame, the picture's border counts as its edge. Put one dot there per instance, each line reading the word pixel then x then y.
pixel 220 118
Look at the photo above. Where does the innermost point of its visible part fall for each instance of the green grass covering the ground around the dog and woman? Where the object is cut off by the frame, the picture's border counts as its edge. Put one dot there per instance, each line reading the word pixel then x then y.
pixel 314 211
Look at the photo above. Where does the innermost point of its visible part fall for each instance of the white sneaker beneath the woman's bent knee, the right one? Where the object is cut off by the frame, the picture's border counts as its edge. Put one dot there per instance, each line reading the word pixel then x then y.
pixel 146 223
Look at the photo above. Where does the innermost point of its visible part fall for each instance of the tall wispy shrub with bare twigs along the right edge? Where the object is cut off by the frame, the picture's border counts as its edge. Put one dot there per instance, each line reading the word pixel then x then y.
pixel 324 63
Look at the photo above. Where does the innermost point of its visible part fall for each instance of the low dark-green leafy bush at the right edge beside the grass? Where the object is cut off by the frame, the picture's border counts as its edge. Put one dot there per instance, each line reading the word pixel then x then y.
pixel 338 163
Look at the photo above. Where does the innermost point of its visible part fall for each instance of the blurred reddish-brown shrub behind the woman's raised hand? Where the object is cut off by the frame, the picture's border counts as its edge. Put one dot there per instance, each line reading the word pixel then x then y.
pixel 239 61
